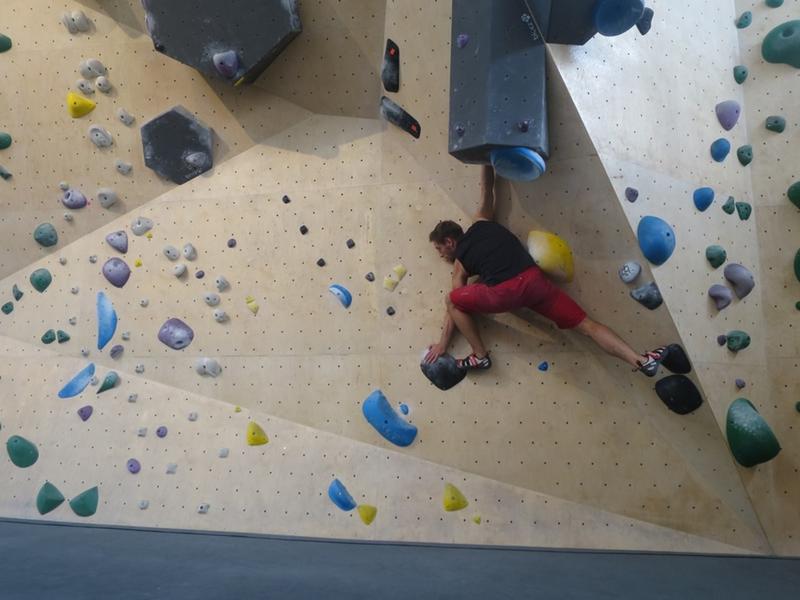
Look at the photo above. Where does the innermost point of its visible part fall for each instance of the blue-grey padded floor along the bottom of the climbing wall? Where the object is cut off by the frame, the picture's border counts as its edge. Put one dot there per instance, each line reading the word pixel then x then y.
pixel 46 561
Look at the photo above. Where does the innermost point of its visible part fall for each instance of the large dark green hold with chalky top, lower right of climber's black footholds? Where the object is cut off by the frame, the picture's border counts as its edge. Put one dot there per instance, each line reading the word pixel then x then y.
pixel 749 436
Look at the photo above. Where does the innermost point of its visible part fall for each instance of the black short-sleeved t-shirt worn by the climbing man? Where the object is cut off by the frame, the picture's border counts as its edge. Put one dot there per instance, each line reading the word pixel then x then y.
pixel 494 253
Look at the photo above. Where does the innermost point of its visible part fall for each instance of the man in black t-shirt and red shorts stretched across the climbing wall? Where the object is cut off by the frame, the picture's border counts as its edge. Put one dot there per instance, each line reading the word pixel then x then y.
pixel 509 279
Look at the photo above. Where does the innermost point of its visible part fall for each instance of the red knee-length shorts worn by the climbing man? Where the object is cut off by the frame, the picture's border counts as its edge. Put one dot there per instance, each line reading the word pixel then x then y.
pixel 530 289
